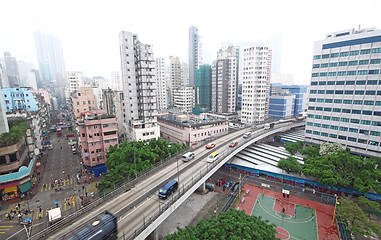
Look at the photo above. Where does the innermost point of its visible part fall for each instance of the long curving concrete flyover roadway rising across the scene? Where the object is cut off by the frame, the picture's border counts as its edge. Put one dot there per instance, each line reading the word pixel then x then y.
pixel 138 208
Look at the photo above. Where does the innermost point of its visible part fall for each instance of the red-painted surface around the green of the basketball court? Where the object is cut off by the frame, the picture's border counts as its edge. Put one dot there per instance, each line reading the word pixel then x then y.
pixel 324 212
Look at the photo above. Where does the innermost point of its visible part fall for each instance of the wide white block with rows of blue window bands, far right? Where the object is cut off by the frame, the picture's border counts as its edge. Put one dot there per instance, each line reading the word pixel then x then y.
pixel 345 93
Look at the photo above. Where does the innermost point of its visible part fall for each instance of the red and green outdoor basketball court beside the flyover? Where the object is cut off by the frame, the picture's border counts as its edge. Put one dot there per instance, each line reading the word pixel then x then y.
pixel 295 218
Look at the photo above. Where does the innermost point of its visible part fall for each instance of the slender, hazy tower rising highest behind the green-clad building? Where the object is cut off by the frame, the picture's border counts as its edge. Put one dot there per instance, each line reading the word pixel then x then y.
pixel 195 54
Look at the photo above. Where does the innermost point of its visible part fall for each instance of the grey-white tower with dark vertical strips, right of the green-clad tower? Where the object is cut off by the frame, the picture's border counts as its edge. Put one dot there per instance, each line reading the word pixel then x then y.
pixel 225 80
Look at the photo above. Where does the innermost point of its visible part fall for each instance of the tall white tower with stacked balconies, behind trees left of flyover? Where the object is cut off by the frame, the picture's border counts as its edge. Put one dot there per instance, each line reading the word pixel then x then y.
pixel 139 88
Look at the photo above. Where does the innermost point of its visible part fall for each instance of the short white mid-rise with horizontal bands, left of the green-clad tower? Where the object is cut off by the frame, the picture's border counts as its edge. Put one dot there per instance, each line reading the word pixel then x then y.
pixel 184 98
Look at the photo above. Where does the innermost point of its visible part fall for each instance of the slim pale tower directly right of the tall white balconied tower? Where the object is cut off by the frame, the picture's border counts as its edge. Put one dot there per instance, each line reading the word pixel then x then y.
pixel 161 86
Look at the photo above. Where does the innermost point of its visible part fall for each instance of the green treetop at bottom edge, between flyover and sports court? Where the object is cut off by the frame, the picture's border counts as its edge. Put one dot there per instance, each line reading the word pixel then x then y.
pixel 232 224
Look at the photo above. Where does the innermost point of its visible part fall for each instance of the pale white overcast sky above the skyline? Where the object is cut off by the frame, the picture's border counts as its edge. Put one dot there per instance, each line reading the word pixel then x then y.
pixel 89 29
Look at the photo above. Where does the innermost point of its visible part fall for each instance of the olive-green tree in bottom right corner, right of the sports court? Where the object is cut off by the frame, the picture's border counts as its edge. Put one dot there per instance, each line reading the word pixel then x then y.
pixel 359 222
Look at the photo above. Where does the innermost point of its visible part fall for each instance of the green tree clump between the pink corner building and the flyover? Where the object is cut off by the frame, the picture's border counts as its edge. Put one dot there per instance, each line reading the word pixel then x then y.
pixel 129 158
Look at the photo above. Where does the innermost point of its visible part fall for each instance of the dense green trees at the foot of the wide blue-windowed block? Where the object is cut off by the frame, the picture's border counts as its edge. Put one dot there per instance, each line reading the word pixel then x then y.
pixel 346 170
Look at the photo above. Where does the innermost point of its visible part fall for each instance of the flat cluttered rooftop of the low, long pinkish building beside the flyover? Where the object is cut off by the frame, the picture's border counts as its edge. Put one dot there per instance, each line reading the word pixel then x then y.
pixel 190 122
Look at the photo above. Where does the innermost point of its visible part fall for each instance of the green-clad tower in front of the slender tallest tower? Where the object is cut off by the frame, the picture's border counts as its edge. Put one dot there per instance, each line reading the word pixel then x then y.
pixel 203 89
